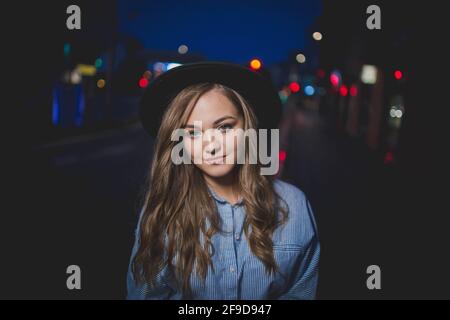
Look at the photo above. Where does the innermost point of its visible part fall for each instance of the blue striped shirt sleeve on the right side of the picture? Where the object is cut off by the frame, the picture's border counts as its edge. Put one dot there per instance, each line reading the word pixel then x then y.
pixel 306 273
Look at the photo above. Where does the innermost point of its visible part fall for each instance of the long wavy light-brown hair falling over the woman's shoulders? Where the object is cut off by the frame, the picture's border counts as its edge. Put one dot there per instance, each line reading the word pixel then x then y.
pixel 178 205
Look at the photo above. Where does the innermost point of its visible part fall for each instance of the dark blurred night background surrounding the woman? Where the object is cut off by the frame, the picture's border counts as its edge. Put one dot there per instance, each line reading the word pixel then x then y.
pixel 72 192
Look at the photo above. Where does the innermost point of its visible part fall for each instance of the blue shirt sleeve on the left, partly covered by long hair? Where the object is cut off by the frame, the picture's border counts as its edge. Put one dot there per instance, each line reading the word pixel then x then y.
pixel 143 291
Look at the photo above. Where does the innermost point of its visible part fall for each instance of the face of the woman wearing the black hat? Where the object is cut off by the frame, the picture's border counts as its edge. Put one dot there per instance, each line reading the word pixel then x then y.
pixel 213 144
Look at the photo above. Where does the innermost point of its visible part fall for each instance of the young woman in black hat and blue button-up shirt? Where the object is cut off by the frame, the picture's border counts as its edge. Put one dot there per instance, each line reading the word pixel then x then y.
pixel 217 228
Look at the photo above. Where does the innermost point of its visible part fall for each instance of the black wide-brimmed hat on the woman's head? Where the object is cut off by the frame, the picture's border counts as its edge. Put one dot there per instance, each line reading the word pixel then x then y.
pixel 254 87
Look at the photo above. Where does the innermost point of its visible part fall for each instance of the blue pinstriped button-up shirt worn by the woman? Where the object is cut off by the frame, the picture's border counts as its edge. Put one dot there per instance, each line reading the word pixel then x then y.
pixel 238 273
